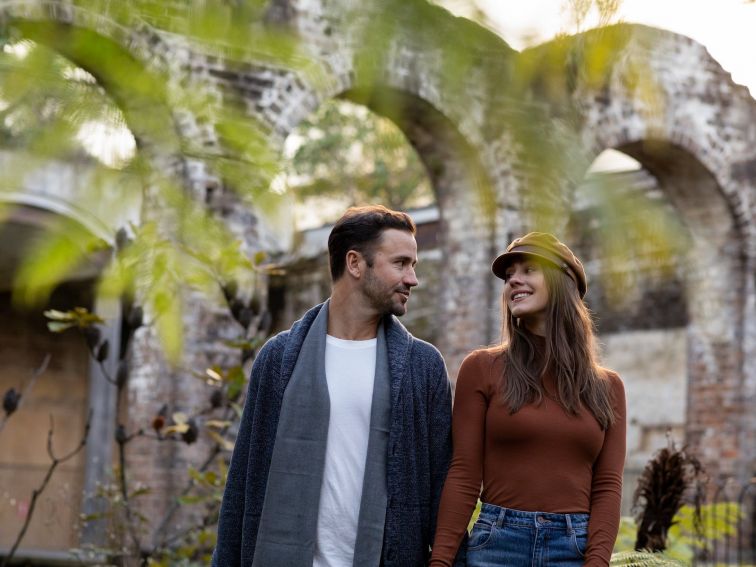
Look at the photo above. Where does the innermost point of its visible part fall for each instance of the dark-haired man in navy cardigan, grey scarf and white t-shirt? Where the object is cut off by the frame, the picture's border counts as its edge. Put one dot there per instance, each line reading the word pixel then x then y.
pixel 344 442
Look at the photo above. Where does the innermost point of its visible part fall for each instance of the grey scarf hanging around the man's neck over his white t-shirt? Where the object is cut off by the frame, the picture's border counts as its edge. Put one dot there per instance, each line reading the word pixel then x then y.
pixel 288 525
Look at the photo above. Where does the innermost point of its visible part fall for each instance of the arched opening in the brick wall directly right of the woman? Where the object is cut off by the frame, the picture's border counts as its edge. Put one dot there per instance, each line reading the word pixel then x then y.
pixel 637 295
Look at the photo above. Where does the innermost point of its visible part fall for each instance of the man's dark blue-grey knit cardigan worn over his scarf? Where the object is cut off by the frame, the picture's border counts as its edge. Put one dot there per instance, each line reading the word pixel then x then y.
pixel 419 446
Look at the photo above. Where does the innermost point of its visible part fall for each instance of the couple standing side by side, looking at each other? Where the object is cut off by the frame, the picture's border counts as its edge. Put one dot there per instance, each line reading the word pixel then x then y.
pixel 346 438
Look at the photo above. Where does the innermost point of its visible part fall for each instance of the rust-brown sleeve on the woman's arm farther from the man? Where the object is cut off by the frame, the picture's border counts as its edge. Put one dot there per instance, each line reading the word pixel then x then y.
pixel 606 486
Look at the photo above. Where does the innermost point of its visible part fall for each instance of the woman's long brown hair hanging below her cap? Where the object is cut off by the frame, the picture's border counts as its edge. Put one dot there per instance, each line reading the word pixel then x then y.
pixel 569 355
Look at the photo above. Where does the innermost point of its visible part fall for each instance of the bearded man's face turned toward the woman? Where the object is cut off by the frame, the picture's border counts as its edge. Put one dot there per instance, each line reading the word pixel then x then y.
pixel 387 284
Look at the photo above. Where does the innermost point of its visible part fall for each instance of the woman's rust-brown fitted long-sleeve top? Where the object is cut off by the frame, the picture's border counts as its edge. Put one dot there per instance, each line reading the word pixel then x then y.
pixel 537 459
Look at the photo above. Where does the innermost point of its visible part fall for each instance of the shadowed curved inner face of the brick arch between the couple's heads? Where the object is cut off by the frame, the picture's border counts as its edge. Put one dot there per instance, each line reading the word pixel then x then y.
pixel 463 195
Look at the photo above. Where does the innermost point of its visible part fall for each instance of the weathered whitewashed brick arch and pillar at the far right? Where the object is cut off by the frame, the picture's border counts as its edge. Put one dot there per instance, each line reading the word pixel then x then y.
pixel 701 150
